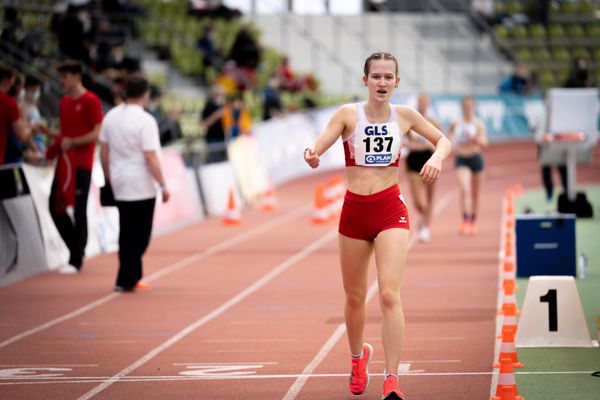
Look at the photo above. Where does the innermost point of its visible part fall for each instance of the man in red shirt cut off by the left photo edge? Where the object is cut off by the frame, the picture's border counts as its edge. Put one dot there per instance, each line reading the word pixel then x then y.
pixel 9 120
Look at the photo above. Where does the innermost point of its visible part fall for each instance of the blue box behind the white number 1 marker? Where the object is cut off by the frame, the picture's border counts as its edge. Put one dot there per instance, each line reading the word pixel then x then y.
pixel 545 245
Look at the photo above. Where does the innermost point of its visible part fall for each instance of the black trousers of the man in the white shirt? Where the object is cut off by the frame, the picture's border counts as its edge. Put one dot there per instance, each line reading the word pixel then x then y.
pixel 135 220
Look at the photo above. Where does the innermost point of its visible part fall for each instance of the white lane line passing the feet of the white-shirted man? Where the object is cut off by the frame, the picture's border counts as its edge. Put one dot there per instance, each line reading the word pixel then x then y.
pixel 165 271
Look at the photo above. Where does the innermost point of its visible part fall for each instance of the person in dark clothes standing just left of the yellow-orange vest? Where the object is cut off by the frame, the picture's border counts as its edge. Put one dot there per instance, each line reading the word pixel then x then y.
pixel 212 122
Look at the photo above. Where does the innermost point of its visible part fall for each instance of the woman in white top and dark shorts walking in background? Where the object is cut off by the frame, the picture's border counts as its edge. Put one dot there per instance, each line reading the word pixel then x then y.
pixel 469 137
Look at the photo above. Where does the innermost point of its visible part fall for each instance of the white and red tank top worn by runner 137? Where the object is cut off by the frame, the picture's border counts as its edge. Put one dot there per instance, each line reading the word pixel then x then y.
pixel 373 145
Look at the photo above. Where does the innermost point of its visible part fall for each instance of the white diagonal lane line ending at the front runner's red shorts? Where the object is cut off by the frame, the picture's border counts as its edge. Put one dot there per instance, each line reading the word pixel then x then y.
pixel 278 270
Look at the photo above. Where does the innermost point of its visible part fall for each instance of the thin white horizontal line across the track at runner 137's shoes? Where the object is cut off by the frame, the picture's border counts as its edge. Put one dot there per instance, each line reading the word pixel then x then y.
pixel 96 379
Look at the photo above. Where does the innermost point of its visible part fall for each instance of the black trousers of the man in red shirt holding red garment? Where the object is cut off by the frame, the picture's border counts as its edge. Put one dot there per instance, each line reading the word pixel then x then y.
pixel 73 231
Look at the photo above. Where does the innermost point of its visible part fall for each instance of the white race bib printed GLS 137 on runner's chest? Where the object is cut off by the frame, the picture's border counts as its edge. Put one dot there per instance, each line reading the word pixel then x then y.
pixel 377 145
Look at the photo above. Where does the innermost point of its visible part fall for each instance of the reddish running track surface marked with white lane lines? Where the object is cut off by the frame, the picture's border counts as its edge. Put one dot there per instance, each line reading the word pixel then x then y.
pixel 256 311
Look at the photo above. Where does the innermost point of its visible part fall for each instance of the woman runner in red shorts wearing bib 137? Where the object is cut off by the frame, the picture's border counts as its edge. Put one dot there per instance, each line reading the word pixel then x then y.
pixel 374 216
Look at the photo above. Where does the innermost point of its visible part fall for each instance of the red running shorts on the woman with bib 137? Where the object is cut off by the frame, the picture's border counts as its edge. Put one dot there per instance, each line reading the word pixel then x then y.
pixel 365 216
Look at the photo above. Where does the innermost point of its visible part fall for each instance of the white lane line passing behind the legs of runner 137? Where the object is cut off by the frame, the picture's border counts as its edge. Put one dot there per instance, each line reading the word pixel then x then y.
pixel 294 390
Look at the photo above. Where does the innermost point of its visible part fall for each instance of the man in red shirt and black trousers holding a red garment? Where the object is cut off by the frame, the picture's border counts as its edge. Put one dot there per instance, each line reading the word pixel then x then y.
pixel 80 121
